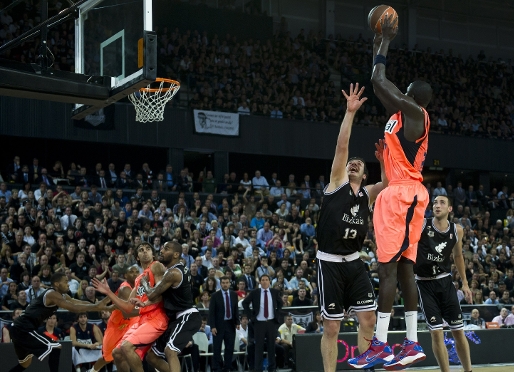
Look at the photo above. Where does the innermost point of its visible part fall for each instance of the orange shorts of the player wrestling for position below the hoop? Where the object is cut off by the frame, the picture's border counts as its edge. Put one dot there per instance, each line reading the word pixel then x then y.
pixel 145 331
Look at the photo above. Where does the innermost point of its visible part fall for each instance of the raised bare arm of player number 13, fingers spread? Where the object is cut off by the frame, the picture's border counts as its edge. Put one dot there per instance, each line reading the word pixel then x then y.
pixel 354 101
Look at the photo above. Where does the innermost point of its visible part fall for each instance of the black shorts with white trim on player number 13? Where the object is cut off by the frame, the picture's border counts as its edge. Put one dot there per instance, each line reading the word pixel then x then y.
pixel 344 286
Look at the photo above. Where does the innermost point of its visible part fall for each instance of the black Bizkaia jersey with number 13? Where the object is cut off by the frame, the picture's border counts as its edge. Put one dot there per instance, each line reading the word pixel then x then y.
pixel 343 220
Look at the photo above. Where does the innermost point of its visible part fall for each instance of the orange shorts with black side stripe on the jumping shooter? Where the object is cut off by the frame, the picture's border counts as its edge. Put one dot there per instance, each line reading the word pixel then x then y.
pixel 398 220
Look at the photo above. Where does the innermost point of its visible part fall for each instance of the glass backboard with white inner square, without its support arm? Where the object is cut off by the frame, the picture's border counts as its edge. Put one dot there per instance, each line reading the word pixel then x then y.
pixel 112 38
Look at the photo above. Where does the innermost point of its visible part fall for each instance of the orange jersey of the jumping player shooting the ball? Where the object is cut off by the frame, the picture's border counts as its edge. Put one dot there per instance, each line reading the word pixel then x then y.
pixel 403 160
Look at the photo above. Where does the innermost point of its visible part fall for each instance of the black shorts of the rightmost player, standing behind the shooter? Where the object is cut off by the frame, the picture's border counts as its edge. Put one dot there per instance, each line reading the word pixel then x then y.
pixel 438 301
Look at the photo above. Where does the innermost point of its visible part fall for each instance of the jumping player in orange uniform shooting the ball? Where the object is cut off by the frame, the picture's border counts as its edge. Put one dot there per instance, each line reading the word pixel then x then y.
pixel 399 209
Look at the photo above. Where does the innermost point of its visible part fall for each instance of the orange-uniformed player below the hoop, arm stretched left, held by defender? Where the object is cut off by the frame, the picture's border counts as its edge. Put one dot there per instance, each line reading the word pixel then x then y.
pixel 153 321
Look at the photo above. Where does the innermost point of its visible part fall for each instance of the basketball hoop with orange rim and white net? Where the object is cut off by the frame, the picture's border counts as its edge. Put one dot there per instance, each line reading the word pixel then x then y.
pixel 150 102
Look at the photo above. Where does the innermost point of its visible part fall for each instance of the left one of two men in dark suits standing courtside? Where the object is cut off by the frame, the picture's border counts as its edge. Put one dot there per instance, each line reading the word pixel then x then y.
pixel 223 319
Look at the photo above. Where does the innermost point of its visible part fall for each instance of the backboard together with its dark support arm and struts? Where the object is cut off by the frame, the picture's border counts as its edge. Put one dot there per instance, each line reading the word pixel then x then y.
pixel 115 55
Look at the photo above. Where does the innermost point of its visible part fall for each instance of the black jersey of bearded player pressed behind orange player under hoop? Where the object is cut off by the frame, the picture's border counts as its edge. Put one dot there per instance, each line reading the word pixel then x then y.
pixel 179 298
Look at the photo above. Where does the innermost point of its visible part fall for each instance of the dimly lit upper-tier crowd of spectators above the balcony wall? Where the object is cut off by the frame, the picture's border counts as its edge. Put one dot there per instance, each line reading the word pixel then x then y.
pixel 288 77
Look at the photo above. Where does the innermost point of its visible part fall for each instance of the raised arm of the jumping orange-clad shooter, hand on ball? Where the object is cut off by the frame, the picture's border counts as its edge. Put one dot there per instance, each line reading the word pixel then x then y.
pixel 390 96
